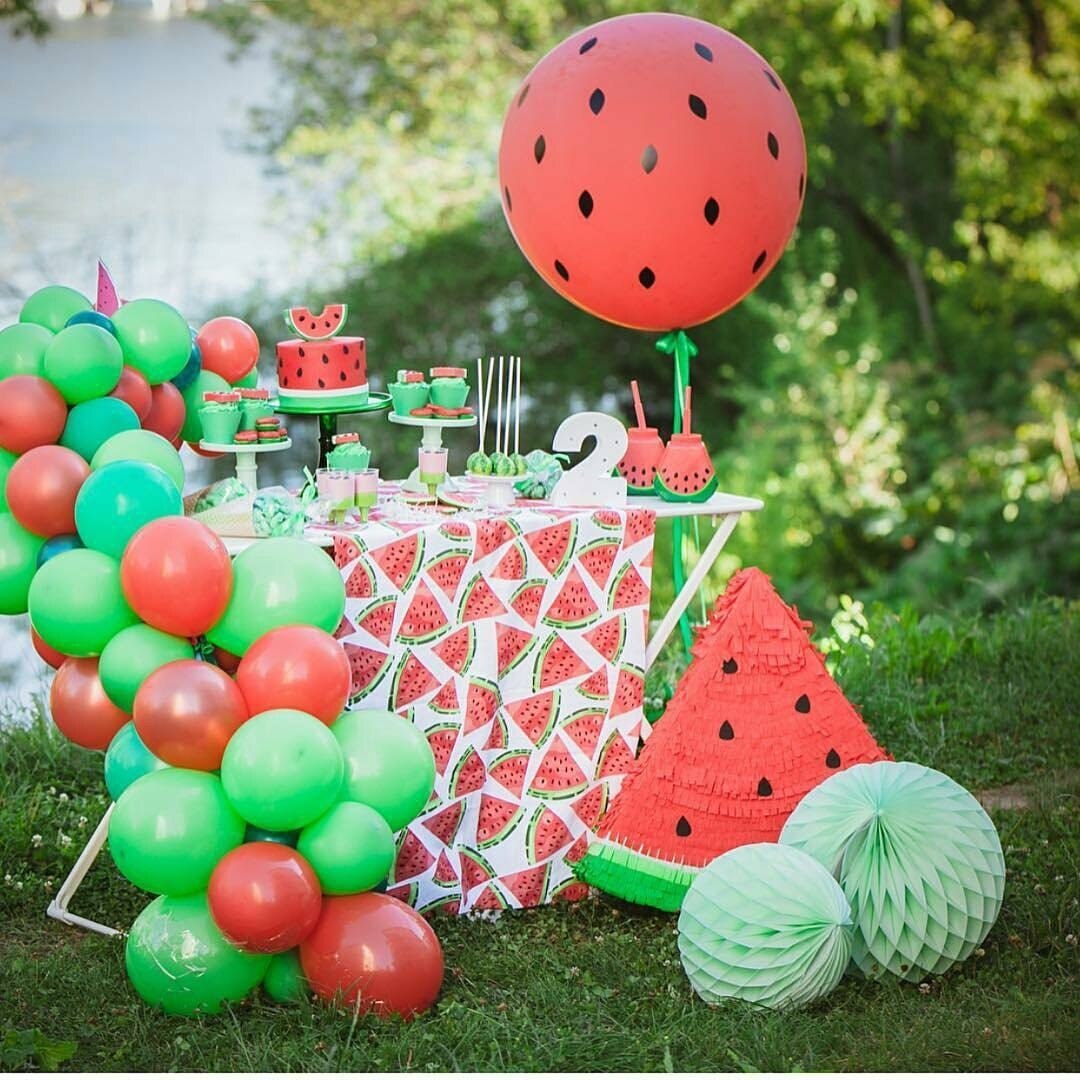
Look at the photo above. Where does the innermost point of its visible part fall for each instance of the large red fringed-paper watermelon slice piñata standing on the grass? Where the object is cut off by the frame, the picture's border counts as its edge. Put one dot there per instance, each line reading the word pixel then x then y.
pixel 755 724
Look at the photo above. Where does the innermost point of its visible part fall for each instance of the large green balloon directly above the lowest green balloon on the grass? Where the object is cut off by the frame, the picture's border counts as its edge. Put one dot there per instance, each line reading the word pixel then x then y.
pixel 171 829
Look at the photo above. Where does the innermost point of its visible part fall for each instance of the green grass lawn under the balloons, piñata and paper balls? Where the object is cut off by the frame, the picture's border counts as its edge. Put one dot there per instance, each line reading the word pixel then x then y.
pixel 598 987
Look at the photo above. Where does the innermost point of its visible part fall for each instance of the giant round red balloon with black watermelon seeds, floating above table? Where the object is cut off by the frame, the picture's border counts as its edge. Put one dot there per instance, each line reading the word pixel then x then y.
pixel 653 169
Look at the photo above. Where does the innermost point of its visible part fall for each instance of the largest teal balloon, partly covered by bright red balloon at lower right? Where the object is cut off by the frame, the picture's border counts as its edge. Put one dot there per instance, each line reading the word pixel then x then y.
pixel 118 499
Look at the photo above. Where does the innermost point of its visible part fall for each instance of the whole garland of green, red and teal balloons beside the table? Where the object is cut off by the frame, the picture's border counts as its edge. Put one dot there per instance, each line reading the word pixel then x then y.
pixel 259 812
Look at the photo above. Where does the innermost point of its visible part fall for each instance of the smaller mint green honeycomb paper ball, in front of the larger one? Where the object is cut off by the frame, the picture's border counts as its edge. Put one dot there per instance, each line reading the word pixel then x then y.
pixel 766 925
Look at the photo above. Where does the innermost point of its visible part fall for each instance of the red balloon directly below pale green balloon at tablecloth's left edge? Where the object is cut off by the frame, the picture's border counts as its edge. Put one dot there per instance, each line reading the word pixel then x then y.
pixel 296 668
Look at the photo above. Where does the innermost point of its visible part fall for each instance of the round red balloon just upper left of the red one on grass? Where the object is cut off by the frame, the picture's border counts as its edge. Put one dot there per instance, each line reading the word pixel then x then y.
pixel 265 897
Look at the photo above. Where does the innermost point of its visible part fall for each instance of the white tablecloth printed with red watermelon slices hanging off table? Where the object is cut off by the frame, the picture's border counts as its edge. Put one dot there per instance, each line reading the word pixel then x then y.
pixel 517 644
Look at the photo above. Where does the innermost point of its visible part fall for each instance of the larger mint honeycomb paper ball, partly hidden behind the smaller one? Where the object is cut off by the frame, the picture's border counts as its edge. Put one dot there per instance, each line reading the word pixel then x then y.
pixel 917 857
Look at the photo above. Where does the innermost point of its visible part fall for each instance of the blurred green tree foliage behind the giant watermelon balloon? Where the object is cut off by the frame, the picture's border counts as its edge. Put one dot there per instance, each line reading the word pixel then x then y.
pixel 902 390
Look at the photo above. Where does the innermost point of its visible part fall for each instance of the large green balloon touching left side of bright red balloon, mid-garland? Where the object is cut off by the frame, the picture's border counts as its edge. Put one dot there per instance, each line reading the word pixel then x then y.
pixel 77 604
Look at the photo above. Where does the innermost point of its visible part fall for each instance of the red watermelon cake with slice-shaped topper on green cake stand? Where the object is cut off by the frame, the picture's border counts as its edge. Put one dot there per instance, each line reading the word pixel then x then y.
pixel 321 367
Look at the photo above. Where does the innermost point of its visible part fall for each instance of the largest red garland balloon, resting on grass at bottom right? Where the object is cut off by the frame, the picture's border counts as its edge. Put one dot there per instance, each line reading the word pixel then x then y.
pixel 377 953
